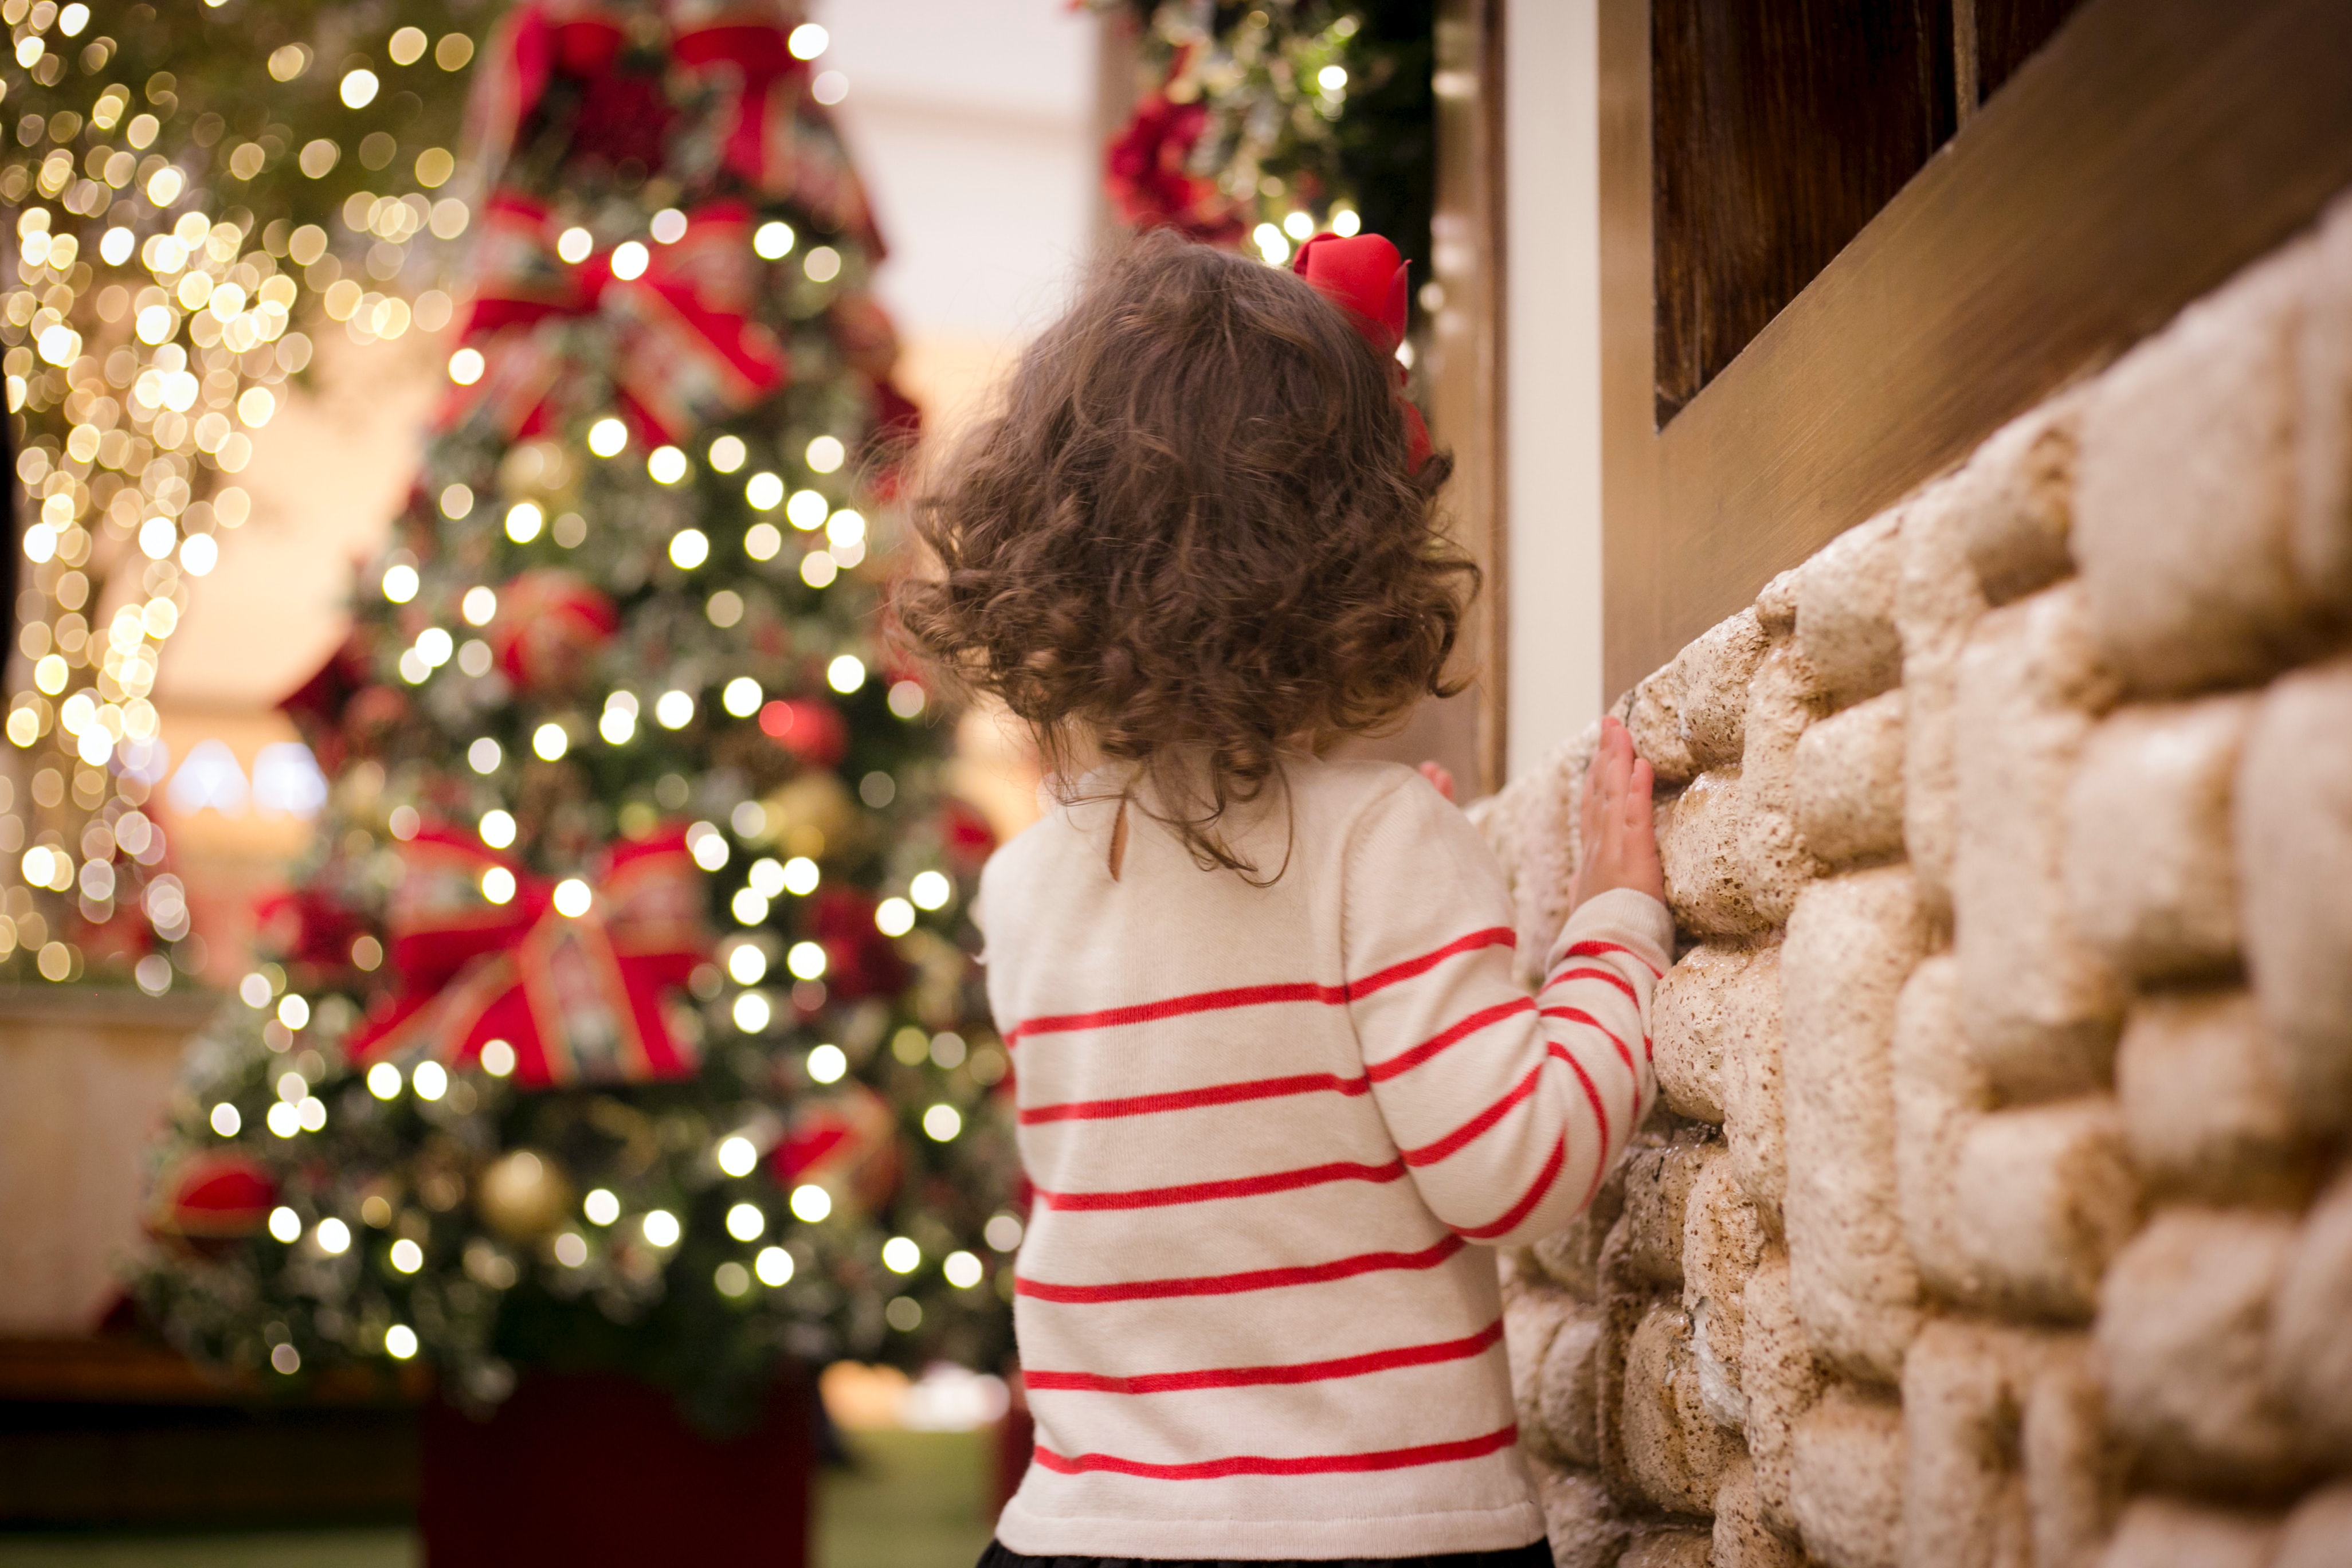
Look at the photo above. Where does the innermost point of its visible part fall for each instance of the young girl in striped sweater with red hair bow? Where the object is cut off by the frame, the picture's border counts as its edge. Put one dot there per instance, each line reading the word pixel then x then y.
pixel 1278 1090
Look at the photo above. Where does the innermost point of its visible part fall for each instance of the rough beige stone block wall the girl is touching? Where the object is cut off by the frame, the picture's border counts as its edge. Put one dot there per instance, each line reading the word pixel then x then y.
pixel 1998 1207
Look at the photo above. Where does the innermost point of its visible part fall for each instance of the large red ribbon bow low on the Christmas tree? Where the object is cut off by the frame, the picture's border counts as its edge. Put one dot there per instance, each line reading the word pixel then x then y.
pixel 577 998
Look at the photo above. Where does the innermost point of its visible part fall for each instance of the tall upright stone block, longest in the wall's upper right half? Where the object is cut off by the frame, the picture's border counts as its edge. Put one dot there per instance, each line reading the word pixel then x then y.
pixel 2038 1003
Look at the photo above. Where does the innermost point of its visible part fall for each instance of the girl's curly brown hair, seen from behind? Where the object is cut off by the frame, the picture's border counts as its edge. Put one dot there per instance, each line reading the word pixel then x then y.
pixel 1191 537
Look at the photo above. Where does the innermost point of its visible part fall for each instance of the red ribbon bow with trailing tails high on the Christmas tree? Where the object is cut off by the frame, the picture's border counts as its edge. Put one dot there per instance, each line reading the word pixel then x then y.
pixel 688 349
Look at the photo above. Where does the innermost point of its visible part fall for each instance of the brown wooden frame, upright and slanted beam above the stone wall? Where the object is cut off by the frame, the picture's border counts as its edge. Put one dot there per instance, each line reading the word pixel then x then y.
pixel 2144 156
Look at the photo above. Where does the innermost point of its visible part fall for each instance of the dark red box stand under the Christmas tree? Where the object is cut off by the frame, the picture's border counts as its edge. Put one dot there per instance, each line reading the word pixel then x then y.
pixel 592 1470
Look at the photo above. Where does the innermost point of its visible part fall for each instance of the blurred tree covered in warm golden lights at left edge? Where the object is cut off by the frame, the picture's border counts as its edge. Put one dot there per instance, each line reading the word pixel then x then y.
pixel 192 192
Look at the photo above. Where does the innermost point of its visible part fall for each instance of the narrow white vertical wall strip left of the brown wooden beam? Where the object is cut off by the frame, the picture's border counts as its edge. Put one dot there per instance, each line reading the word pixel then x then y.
pixel 1551 98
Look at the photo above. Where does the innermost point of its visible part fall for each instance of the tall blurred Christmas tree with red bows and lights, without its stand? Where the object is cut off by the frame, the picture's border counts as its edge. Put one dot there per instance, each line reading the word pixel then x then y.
pixel 502 1099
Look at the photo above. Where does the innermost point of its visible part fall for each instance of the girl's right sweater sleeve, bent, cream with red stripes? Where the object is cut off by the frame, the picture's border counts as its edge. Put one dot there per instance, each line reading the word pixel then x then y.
pixel 1506 1108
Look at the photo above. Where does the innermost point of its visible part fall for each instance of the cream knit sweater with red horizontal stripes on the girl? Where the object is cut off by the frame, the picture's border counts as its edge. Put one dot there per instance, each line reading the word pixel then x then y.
pixel 1271 1134
